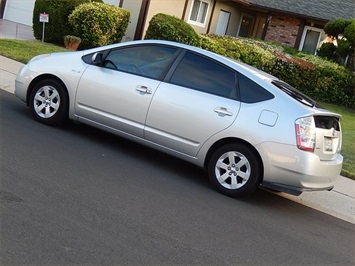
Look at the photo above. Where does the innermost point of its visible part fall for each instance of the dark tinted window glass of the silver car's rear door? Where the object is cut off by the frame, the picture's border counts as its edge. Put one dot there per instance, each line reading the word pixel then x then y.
pixel 200 73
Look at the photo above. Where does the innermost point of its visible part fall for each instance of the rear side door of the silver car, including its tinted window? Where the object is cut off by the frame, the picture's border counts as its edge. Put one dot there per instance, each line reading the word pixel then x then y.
pixel 199 100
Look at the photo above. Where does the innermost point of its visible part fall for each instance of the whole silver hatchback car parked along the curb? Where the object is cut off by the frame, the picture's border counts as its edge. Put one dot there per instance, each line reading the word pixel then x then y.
pixel 245 127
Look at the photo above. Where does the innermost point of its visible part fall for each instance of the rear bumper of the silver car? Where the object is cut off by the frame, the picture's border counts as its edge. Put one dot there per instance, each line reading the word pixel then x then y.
pixel 290 169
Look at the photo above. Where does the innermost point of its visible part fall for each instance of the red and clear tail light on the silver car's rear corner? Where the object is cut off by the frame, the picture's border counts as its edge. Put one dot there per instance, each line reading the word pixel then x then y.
pixel 306 133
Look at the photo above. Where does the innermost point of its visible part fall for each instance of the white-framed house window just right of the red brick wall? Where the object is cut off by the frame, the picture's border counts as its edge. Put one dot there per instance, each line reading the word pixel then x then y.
pixel 311 39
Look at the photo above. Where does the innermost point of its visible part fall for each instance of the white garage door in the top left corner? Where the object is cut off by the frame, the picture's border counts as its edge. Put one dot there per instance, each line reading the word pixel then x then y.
pixel 20 11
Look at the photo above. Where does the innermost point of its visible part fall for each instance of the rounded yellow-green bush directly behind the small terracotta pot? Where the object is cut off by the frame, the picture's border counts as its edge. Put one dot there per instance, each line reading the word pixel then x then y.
pixel 99 24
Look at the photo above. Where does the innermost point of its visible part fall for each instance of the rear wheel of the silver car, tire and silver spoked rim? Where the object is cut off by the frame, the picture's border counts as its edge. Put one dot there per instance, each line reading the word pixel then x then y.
pixel 234 170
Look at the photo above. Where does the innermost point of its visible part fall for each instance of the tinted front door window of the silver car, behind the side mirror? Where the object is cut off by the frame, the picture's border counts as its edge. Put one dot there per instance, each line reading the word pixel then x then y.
pixel 146 60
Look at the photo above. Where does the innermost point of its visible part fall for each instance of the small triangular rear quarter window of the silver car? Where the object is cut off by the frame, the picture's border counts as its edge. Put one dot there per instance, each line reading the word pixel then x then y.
pixel 251 92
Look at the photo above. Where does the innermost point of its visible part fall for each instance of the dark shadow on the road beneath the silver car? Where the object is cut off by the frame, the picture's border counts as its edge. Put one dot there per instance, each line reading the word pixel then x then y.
pixel 192 174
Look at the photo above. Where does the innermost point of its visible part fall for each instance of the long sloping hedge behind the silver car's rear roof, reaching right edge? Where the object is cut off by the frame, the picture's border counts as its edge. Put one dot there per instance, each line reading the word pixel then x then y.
pixel 320 79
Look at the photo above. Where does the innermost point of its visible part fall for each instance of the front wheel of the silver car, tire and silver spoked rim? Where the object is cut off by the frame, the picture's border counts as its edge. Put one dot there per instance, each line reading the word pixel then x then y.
pixel 49 102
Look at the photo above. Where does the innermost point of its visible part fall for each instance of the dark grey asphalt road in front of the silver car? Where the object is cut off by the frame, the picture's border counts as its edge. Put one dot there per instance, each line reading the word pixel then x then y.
pixel 76 195
